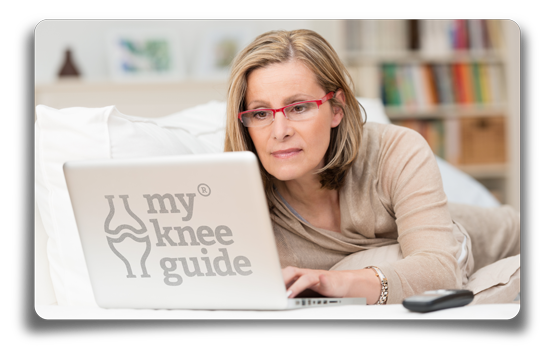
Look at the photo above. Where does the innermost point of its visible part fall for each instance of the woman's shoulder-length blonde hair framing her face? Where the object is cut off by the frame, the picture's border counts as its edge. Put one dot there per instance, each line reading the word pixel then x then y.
pixel 318 55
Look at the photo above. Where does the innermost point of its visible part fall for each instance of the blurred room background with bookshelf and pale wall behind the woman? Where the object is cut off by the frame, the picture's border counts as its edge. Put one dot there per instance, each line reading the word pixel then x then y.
pixel 455 81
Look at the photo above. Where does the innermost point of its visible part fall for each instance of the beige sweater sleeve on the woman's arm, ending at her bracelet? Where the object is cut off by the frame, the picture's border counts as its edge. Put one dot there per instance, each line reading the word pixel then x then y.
pixel 412 189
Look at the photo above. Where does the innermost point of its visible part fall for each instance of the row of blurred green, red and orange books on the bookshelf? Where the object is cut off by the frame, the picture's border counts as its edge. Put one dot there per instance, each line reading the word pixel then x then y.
pixel 423 86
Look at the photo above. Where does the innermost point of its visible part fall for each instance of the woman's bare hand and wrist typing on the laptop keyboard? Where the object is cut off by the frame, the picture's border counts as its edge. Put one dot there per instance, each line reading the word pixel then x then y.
pixel 346 283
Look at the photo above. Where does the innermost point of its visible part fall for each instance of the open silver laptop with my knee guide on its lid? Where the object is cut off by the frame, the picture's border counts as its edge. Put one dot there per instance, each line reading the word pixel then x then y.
pixel 180 232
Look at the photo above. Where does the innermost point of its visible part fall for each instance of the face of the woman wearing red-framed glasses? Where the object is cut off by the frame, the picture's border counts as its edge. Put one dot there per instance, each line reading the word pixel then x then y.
pixel 290 150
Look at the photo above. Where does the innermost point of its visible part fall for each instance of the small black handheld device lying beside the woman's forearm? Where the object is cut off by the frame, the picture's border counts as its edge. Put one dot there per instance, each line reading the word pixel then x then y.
pixel 438 299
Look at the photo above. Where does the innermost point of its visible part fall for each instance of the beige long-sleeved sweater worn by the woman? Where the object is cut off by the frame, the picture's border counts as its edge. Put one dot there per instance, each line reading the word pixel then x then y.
pixel 392 194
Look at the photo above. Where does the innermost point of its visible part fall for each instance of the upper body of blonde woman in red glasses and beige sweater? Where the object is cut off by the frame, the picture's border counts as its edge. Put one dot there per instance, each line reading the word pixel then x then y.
pixel 341 193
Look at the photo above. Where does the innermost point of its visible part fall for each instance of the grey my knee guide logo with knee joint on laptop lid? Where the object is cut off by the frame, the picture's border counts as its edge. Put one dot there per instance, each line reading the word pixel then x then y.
pixel 188 238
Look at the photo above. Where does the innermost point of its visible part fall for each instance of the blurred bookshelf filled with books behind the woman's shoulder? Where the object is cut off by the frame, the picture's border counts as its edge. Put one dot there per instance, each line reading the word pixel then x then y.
pixel 450 74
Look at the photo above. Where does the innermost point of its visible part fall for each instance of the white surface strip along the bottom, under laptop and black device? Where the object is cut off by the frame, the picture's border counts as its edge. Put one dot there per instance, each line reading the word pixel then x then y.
pixel 488 311
